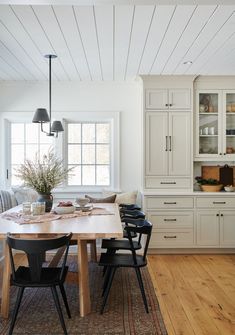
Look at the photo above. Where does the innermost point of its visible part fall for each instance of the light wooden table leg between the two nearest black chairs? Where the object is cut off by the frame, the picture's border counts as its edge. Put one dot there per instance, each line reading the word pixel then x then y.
pixel 83 273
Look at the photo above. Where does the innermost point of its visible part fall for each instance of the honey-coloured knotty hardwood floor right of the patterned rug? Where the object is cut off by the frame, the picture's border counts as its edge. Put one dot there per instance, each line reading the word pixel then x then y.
pixel 196 293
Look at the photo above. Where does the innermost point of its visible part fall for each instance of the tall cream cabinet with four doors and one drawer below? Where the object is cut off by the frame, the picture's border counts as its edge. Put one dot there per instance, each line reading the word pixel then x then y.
pixel 167 133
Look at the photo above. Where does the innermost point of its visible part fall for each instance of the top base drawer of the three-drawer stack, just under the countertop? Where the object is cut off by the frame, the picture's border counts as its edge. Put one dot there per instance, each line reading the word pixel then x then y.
pixel 169 202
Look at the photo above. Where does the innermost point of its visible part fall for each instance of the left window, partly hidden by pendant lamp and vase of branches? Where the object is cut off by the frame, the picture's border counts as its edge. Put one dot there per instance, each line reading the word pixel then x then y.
pixel 26 140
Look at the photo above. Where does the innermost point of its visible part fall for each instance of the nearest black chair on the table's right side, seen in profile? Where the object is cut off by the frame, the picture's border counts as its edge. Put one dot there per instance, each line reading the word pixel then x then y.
pixel 126 260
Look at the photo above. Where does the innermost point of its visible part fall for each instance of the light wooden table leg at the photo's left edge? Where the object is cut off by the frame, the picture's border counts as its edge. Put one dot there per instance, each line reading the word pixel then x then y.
pixel 6 283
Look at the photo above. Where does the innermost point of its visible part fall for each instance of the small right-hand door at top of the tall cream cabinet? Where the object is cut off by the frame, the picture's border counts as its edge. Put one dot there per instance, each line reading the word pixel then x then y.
pixel 179 99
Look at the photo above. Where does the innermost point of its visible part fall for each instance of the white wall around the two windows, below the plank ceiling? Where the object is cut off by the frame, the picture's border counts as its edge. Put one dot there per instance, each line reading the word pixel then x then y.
pixel 125 97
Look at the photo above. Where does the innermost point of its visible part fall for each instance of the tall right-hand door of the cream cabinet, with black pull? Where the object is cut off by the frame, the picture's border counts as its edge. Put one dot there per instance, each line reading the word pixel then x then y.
pixel 179 144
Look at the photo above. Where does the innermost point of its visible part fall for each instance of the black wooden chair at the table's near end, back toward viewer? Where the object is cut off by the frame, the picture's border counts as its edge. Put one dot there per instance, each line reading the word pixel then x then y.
pixel 36 274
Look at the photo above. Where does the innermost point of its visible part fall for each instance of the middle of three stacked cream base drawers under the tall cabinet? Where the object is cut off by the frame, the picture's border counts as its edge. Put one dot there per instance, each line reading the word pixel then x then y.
pixel 171 219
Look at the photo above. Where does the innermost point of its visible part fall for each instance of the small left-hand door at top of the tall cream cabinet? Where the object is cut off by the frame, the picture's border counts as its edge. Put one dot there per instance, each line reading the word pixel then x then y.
pixel 156 99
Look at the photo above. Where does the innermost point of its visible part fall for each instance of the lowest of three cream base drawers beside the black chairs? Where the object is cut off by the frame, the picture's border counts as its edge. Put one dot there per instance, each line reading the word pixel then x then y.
pixel 171 239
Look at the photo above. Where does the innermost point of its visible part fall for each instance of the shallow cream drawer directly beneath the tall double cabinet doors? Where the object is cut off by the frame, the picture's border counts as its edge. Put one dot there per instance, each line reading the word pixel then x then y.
pixel 166 183
